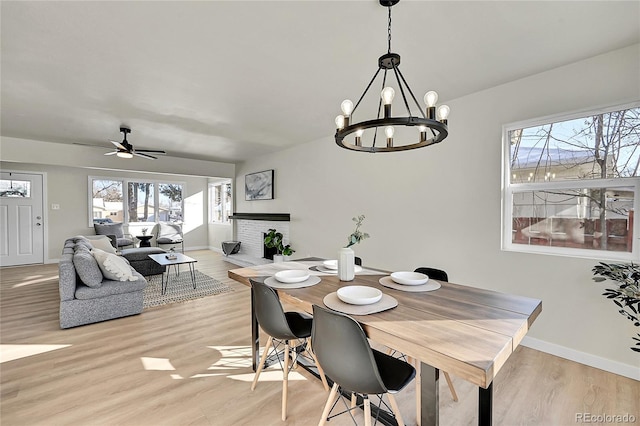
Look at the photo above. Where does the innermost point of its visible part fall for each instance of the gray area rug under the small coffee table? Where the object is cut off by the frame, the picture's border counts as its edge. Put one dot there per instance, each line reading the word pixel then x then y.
pixel 181 289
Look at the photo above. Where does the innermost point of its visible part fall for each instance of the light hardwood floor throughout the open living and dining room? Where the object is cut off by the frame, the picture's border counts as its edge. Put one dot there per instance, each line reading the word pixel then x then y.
pixel 189 364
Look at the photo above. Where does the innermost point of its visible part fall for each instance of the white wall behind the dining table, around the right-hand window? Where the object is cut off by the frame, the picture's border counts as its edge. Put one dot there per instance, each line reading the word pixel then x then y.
pixel 440 206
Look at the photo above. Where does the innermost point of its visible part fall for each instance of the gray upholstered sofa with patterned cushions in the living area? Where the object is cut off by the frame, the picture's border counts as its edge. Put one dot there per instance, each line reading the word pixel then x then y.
pixel 102 299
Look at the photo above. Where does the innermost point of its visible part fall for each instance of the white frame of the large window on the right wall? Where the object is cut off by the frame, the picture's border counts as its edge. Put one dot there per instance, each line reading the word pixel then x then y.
pixel 508 189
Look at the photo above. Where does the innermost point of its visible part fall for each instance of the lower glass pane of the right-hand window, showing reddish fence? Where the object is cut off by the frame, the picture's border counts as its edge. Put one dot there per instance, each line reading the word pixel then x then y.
pixel 593 218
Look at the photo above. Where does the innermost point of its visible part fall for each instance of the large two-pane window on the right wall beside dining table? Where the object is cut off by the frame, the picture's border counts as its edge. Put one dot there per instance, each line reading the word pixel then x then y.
pixel 571 184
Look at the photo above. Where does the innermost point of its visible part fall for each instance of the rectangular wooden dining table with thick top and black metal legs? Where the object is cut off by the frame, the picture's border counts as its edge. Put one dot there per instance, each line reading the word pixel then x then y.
pixel 464 330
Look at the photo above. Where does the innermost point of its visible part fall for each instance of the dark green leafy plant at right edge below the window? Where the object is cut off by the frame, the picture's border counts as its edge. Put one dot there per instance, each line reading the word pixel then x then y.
pixel 627 296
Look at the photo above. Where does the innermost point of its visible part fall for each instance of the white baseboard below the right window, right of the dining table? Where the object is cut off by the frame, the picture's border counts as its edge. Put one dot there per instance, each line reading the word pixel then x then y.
pixel 626 370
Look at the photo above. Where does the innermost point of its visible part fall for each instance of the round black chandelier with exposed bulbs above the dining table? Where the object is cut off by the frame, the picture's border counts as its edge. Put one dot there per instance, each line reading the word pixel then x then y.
pixel 432 122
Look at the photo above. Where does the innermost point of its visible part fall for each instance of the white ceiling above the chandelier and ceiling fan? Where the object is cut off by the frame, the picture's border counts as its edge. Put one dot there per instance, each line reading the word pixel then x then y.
pixel 231 80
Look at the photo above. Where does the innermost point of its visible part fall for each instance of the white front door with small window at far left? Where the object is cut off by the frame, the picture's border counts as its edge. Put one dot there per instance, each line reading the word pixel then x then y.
pixel 21 219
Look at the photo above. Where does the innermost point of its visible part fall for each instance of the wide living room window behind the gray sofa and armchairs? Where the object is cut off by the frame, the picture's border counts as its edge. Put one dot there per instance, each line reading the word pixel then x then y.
pixel 145 201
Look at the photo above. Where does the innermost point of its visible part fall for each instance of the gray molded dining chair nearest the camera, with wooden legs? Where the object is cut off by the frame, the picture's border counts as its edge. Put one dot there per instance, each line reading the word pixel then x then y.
pixel 342 349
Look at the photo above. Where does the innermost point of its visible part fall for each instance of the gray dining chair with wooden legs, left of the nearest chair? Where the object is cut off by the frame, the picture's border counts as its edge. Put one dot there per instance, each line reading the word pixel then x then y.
pixel 282 328
